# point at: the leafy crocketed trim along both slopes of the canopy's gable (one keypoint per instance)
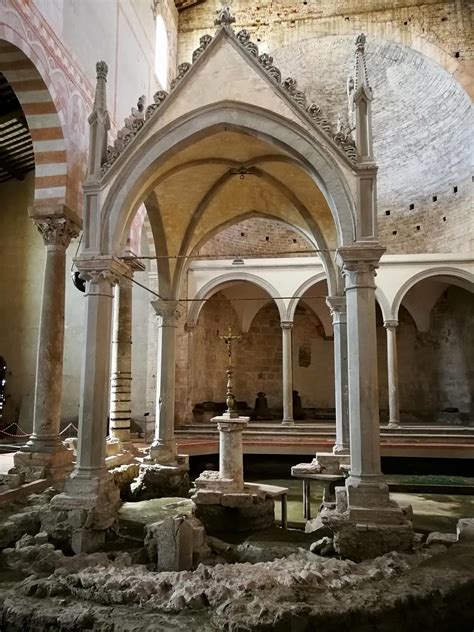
(341, 138)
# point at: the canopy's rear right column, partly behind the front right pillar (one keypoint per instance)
(337, 305)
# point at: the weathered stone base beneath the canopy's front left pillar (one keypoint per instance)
(81, 515)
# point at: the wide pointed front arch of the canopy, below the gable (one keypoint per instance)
(132, 179)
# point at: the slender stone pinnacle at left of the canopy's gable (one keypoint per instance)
(99, 123)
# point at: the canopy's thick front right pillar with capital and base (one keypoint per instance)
(366, 489)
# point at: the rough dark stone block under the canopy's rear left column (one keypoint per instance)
(158, 480)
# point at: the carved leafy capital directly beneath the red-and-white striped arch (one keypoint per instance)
(57, 225)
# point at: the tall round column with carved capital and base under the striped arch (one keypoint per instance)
(45, 453)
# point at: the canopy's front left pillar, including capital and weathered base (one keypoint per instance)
(90, 487)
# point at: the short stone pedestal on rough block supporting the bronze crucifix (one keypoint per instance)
(223, 501)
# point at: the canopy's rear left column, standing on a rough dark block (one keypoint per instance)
(163, 448)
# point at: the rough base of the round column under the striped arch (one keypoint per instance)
(55, 465)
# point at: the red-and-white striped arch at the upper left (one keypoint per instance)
(23, 69)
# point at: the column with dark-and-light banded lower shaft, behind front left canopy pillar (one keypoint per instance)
(121, 375)
